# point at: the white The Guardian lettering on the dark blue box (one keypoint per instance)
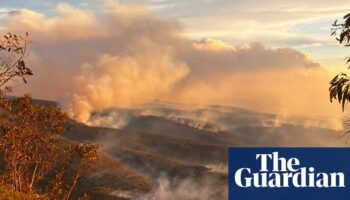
(286, 173)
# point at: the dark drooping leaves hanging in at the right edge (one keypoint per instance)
(340, 84)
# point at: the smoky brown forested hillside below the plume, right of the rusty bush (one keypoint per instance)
(163, 152)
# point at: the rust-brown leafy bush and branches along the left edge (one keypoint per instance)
(33, 157)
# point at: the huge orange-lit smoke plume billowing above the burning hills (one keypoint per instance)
(125, 56)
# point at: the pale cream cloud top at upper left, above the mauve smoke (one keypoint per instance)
(56, 28)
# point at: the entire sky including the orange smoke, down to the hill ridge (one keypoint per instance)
(273, 56)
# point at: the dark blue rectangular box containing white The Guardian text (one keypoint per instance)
(289, 173)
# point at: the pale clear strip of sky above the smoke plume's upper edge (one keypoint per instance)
(300, 24)
